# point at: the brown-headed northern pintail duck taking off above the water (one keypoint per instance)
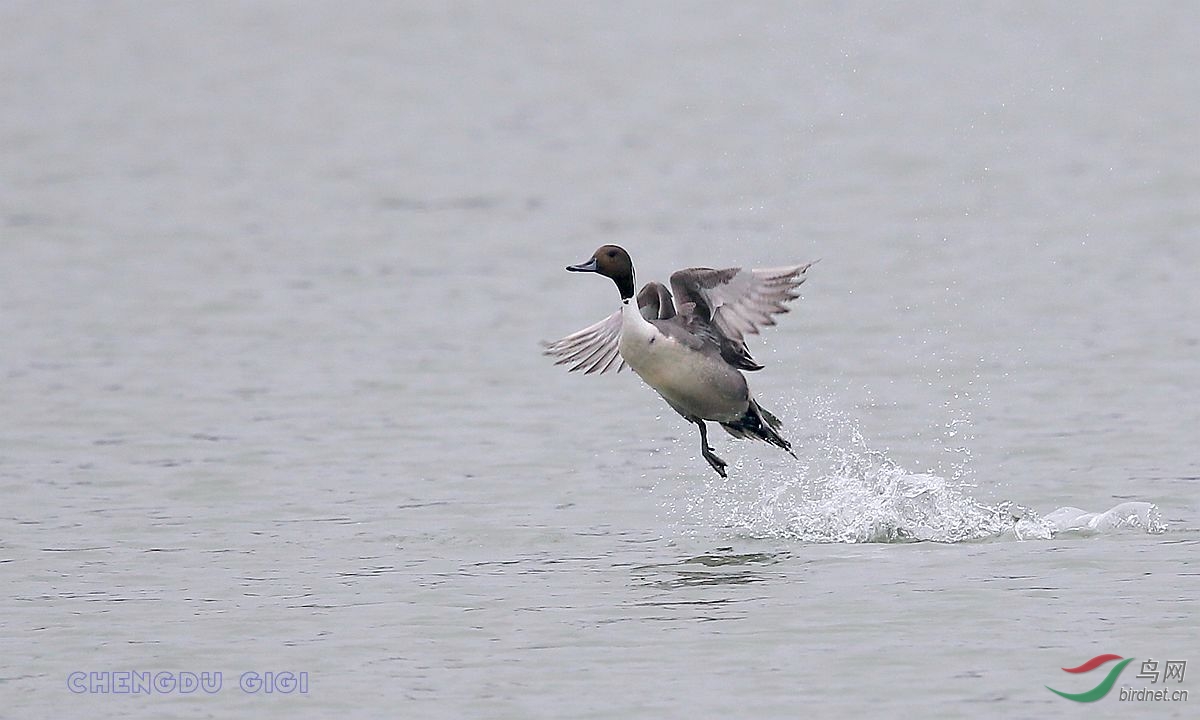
(692, 353)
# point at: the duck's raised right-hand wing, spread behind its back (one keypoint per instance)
(739, 302)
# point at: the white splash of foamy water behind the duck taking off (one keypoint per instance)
(844, 491)
